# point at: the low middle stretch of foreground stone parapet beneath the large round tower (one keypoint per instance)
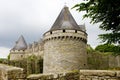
(59, 76)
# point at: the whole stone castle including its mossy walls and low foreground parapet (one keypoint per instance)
(61, 53)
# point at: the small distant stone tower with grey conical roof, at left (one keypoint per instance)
(18, 51)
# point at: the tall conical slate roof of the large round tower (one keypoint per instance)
(65, 21)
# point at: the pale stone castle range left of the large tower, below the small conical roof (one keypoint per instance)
(35, 48)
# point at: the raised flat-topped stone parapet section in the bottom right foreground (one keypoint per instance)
(99, 75)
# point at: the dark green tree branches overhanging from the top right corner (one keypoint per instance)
(106, 12)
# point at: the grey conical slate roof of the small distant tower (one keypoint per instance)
(20, 44)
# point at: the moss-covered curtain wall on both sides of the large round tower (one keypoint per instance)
(95, 61)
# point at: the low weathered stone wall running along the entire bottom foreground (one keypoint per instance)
(14, 73)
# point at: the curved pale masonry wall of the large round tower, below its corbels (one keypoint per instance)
(64, 55)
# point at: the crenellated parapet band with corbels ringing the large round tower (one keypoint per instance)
(65, 34)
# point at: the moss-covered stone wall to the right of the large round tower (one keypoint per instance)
(97, 60)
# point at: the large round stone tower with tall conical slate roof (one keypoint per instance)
(65, 45)
